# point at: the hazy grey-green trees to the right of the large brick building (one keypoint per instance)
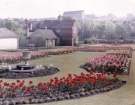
(107, 30)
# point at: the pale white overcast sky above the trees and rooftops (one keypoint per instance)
(52, 8)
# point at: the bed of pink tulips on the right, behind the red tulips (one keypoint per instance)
(111, 63)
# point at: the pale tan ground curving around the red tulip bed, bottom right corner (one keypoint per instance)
(122, 96)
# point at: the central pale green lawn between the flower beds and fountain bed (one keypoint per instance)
(67, 63)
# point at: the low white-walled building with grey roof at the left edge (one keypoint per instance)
(8, 39)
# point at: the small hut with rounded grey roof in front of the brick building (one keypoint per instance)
(43, 38)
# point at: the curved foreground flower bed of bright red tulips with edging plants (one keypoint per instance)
(71, 86)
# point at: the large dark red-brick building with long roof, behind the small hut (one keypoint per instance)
(64, 29)
